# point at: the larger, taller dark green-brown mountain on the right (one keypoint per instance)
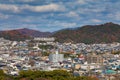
(105, 33)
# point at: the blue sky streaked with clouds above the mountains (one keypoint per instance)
(53, 15)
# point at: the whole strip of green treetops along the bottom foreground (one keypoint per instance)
(44, 75)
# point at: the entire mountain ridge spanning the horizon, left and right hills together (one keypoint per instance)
(103, 33)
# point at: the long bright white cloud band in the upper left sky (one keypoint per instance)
(40, 8)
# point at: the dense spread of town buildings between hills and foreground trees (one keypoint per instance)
(98, 60)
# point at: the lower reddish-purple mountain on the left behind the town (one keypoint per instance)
(22, 34)
